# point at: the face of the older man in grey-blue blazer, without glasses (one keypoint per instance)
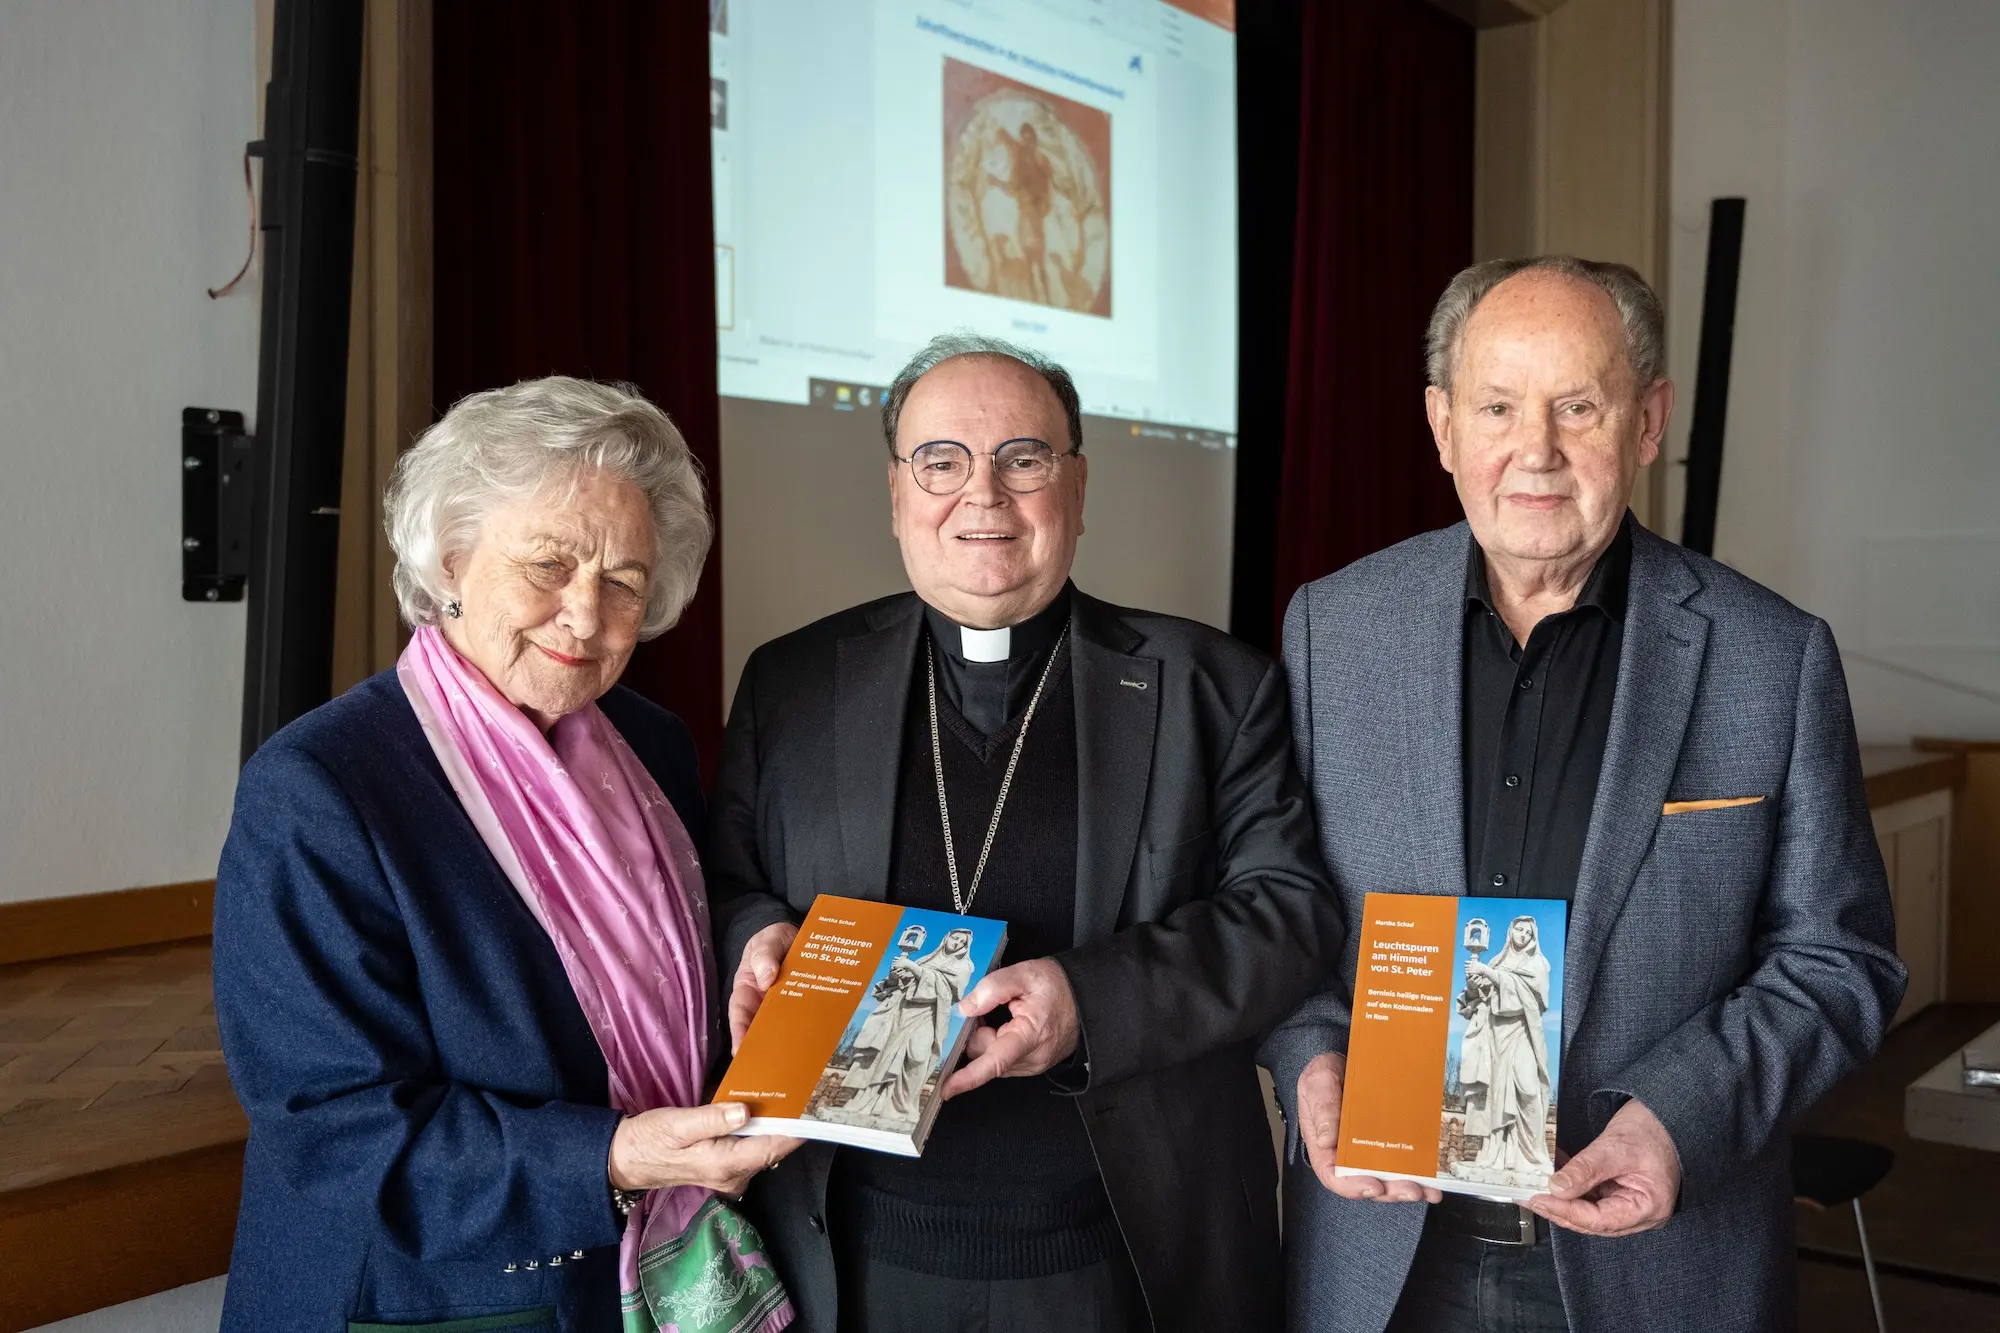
(1545, 429)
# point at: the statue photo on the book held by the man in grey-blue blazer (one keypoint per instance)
(1505, 1044)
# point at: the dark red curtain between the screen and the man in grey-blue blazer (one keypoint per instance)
(1385, 219)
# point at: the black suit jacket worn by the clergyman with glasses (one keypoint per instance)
(1203, 916)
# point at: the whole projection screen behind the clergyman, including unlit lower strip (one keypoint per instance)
(1059, 173)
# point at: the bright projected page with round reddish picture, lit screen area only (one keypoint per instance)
(1049, 173)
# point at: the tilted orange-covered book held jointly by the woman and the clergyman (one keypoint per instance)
(863, 1026)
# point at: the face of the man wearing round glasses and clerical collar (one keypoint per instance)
(987, 555)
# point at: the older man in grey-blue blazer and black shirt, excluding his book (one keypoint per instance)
(1547, 702)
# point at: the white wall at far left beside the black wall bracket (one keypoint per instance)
(121, 201)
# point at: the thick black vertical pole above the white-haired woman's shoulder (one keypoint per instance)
(311, 137)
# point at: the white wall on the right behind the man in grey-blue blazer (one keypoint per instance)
(1863, 455)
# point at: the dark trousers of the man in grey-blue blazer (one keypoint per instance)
(1461, 1284)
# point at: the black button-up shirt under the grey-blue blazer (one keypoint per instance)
(1535, 728)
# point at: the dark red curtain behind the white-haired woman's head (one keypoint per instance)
(575, 235)
